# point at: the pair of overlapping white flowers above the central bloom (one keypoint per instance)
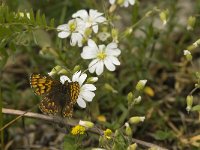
(77, 27)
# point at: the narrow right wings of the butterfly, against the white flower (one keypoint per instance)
(72, 96)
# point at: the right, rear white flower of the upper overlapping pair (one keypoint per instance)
(90, 19)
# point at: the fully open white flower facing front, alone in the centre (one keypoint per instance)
(101, 55)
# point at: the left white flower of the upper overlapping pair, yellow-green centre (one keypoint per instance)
(75, 28)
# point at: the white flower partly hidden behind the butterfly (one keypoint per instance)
(86, 90)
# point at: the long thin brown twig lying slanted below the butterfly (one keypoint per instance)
(68, 122)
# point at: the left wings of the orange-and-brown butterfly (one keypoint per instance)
(47, 87)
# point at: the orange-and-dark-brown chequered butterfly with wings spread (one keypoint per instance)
(57, 98)
